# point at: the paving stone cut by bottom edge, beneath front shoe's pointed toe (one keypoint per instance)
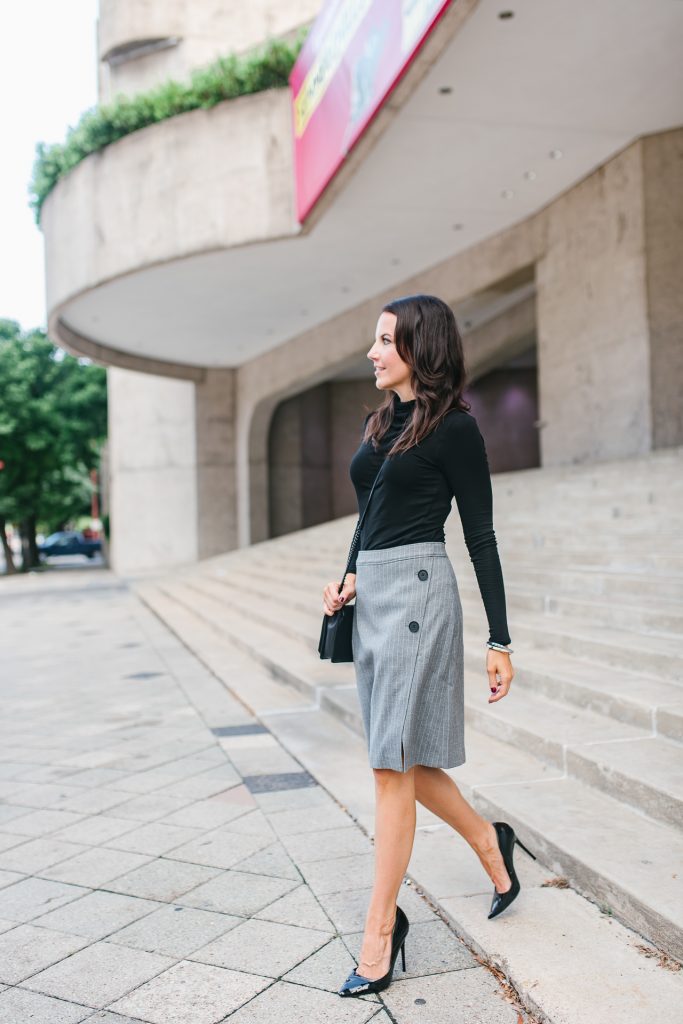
(288, 1003)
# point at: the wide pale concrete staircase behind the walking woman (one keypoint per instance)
(585, 757)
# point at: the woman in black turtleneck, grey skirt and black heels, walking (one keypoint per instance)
(408, 630)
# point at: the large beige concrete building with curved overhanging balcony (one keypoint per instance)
(528, 168)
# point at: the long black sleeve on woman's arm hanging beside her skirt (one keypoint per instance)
(465, 464)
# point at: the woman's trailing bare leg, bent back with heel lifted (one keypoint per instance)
(440, 794)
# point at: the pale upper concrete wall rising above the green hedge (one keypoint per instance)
(201, 32)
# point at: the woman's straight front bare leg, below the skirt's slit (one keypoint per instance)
(395, 834)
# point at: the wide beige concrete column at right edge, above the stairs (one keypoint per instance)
(610, 315)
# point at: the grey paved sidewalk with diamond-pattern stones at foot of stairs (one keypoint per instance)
(163, 859)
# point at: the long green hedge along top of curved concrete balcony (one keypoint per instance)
(229, 77)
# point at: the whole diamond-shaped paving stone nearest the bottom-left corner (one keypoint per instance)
(100, 974)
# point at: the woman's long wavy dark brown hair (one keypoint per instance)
(429, 340)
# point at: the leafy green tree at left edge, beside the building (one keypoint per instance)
(53, 425)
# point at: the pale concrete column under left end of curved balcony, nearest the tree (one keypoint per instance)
(173, 477)
